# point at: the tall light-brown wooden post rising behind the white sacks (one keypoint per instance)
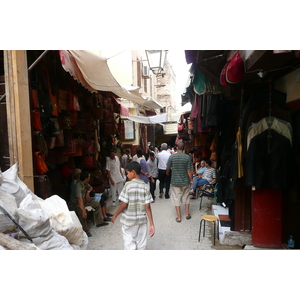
(18, 113)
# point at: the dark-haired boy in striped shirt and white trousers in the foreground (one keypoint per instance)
(135, 209)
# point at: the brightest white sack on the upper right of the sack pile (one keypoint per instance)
(58, 212)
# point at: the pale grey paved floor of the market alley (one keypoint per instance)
(169, 235)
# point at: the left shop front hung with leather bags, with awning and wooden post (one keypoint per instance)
(76, 117)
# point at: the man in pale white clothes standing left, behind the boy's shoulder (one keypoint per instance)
(115, 176)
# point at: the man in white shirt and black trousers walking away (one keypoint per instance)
(164, 179)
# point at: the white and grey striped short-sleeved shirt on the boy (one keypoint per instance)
(137, 194)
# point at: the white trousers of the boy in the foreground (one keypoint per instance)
(135, 237)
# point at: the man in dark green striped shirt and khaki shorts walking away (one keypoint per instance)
(182, 177)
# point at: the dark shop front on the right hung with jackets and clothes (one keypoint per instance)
(244, 118)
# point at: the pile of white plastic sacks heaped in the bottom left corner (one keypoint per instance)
(49, 223)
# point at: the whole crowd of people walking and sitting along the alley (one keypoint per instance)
(133, 182)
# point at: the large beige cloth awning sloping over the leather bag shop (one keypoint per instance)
(92, 71)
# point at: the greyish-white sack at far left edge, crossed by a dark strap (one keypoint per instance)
(8, 202)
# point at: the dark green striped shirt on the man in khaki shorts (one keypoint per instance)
(180, 163)
